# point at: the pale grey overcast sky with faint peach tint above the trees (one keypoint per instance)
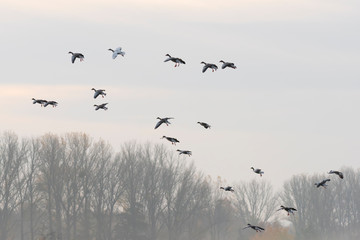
(290, 107)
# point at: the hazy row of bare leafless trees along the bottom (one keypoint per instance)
(72, 187)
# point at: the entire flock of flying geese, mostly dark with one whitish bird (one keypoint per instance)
(165, 120)
